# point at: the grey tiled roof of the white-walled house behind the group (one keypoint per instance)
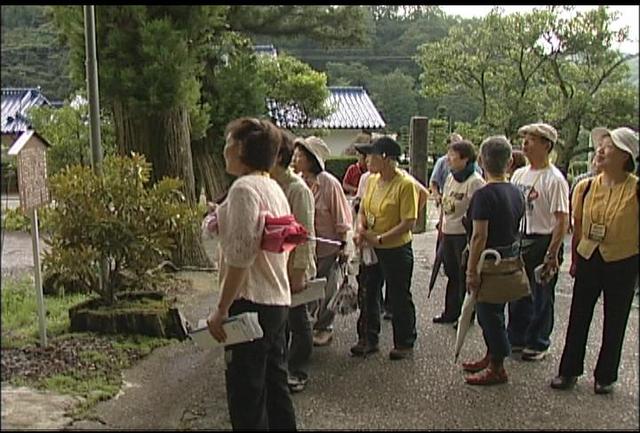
(353, 109)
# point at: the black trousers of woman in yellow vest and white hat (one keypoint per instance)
(616, 280)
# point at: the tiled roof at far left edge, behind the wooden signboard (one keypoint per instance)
(15, 105)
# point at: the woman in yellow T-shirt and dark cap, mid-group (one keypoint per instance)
(387, 214)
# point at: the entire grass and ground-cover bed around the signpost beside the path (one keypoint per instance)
(93, 363)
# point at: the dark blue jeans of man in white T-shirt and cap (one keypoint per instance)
(531, 318)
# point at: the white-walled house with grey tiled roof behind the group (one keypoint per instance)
(353, 113)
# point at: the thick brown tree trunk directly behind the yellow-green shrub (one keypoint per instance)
(164, 138)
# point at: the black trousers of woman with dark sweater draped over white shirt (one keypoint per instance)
(453, 245)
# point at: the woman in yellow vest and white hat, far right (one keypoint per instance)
(606, 224)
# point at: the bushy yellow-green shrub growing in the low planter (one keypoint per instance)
(117, 220)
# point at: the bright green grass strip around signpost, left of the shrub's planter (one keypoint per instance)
(20, 313)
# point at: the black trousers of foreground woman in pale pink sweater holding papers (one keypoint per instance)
(256, 375)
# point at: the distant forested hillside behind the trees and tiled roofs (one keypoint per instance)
(385, 64)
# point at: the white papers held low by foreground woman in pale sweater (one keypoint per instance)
(239, 329)
